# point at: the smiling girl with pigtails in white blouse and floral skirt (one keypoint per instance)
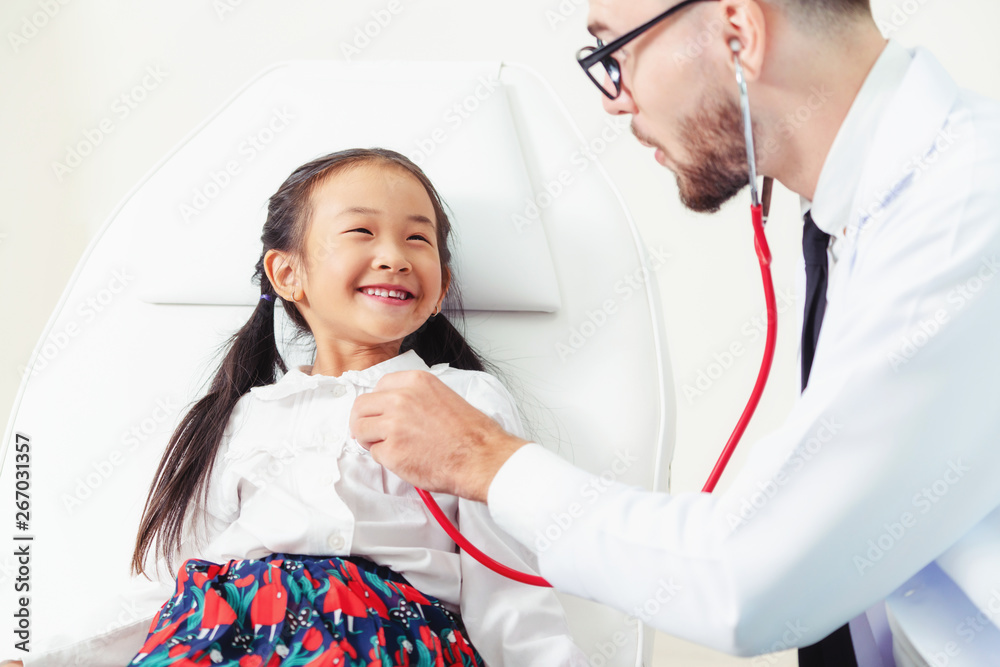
(308, 552)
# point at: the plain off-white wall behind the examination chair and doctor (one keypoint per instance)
(61, 74)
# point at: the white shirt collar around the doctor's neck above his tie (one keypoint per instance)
(841, 173)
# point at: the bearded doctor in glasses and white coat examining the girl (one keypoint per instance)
(886, 468)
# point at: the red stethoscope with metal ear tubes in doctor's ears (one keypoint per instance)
(758, 215)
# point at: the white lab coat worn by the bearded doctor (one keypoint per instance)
(887, 467)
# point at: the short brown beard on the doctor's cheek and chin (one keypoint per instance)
(716, 153)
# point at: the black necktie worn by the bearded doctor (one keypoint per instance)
(836, 650)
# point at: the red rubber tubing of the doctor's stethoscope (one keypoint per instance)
(764, 257)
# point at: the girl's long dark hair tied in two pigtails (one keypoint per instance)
(253, 359)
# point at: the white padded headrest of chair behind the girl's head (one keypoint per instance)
(453, 120)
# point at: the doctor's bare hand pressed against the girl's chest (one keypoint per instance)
(421, 430)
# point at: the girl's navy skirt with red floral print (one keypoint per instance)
(300, 610)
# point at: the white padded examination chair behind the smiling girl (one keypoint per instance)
(558, 288)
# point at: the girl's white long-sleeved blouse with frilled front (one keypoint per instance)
(289, 479)
